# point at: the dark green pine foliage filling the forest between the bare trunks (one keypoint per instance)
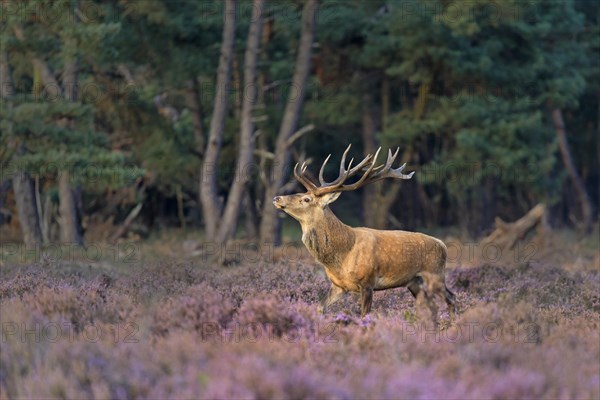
(470, 88)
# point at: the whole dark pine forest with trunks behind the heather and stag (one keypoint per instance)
(142, 115)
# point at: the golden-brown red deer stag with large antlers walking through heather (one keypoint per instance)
(362, 259)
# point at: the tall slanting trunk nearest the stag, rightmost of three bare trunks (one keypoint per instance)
(289, 123)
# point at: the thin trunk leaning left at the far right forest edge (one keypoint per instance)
(584, 200)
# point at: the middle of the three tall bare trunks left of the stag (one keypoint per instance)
(228, 223)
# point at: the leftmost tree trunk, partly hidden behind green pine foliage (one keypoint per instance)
(22, 182)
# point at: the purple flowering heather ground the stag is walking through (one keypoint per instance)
(143, 321)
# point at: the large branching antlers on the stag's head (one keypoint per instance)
(370, 173)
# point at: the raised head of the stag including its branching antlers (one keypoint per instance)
(308, 206)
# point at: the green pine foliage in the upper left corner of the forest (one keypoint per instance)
(55, 134)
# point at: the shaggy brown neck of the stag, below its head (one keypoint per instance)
(328, 238)
